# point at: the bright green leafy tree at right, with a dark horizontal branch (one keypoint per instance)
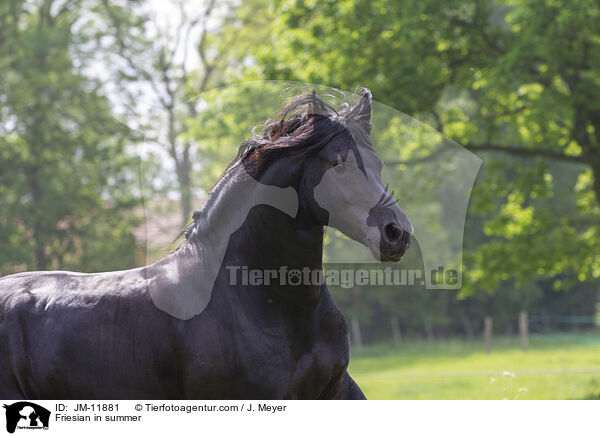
(517, 82)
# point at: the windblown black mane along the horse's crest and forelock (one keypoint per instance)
(304, 126)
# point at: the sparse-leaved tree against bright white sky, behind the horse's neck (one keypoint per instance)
(174, 63)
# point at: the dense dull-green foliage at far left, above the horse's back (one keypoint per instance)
(65, 179)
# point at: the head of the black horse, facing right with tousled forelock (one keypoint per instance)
(326, 153)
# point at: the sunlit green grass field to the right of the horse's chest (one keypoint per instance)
(565, 366)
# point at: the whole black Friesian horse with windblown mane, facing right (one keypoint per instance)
(189, 327)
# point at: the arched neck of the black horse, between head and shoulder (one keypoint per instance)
(244, 224)
